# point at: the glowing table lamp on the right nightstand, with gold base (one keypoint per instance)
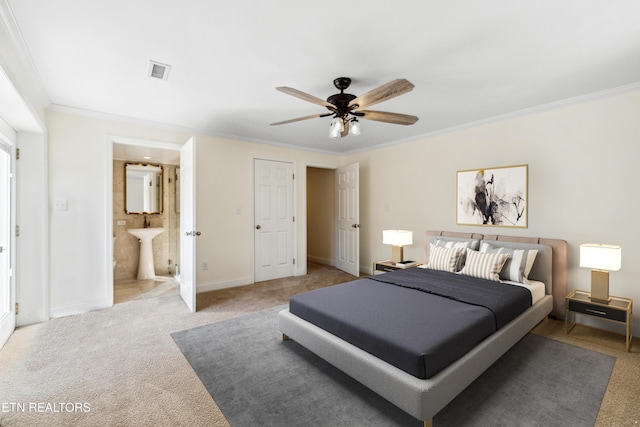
(601, 259)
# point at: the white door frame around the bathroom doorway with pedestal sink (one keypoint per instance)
(110, 140)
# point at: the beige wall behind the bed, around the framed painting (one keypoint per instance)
(583, 182)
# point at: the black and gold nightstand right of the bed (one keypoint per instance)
(619, 310)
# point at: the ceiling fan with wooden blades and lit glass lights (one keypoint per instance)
(346, 108)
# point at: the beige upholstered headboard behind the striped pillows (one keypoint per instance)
(559, 259)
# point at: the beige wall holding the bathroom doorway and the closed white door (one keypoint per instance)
(80, 170)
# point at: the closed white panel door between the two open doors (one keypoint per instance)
(274, 219)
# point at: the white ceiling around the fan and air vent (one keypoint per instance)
(469, 60)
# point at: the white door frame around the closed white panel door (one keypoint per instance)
(296, 267)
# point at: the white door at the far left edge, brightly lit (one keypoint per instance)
(7, 313)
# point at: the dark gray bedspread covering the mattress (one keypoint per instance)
(416, 319)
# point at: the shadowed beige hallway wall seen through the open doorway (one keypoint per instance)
(321, 215)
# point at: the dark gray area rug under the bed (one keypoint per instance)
(258, 379)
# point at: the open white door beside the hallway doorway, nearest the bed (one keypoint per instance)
(348, 218)
